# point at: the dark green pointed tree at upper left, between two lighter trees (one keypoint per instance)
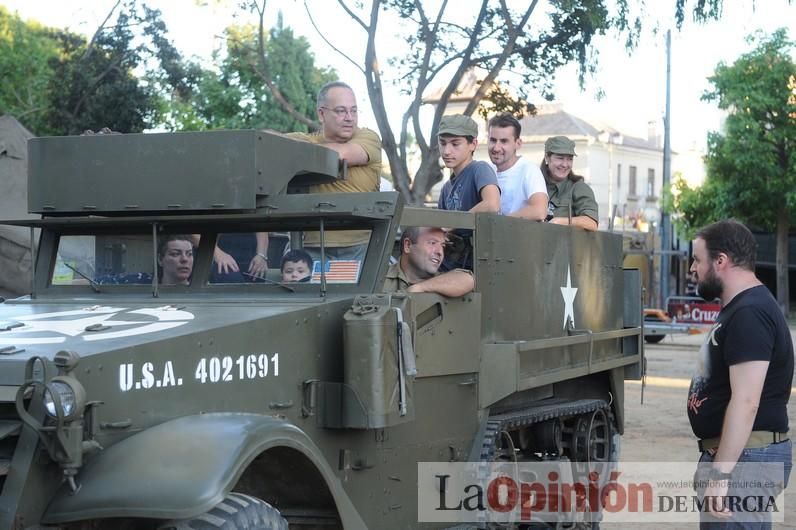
(97, 83)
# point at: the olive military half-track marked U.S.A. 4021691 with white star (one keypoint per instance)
(128, 403)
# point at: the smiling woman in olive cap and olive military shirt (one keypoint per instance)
(571, 199)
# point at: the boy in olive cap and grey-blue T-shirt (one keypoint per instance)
(472, 187)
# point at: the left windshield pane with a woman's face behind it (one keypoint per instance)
(129, 259)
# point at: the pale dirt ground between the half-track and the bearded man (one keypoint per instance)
(658, 430)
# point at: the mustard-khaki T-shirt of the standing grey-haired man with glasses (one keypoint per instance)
(360, 179)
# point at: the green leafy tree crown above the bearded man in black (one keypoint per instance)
(752, 158)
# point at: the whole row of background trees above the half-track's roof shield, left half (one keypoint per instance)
(129, 77)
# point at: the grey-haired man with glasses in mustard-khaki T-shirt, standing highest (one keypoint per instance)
(360, 148)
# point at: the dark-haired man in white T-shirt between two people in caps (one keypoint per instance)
(523, 192)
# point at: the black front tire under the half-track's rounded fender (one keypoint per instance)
(236, 512)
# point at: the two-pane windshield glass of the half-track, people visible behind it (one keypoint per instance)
(291, 259)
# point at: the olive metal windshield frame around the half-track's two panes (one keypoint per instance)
(377, 212)
